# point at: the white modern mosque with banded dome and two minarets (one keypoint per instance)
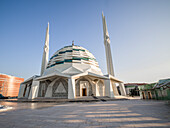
(72, 72)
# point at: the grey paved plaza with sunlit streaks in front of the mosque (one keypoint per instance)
(120, 113)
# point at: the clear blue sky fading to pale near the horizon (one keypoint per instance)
(139, 32)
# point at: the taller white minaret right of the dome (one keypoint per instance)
(107, 47)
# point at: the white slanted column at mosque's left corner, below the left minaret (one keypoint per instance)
(34, 90)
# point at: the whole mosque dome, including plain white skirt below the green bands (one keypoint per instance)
(72, 60)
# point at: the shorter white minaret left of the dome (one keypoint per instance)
(46, 51)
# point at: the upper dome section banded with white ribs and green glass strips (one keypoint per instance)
(72, 54)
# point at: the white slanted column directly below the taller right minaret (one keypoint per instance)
(108, 88)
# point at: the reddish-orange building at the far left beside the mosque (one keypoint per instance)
(9, 85)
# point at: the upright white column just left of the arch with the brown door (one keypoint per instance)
(71, 88)
